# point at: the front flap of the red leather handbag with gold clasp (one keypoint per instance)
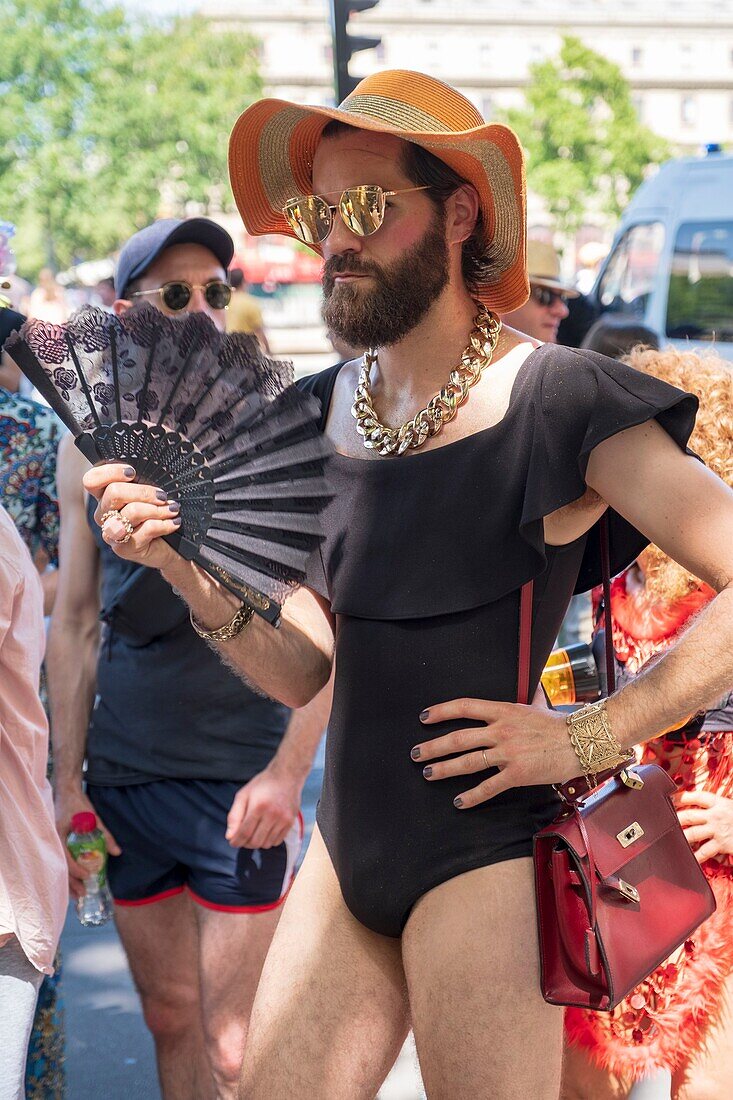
(623, 823)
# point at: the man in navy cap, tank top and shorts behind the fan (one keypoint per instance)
(196, 783)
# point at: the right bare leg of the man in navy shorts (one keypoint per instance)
(233, 949)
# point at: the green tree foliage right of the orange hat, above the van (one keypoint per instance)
(583, 136)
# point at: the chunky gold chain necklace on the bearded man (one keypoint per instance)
(441, 410)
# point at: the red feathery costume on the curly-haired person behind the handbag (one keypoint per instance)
(665, 1020)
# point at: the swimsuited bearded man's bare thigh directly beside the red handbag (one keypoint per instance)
(473, 969)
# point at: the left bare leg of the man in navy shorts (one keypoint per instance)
(161, 942)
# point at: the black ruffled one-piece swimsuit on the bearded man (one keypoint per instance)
(423, 563)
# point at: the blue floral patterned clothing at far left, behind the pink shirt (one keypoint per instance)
(29, 439)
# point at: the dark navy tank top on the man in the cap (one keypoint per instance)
(170, 709)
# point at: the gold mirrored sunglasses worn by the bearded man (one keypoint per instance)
(362, 210)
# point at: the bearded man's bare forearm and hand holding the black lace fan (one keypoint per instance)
(291, 664)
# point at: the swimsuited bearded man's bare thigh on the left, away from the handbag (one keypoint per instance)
(331, 1014)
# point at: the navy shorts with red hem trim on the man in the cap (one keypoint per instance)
(172, 837)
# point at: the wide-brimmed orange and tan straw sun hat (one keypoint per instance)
(272, 148)
